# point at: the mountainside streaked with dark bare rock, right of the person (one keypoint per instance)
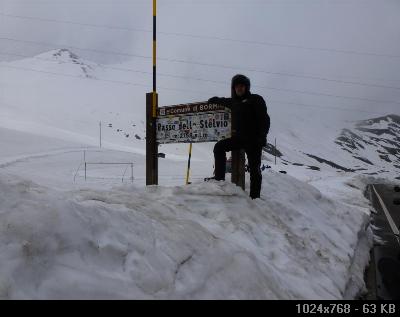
(370, 147)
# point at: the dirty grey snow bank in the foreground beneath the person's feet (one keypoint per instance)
(203, 241)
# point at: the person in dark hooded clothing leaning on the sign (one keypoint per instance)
(250, 127)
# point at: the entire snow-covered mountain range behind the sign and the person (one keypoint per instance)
(59, 94)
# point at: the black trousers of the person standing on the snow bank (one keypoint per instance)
(253, 153)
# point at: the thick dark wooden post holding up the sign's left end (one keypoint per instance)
(151, 142)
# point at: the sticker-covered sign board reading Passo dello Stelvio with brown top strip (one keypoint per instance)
(193, 123)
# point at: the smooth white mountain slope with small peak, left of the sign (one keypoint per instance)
(57, 94)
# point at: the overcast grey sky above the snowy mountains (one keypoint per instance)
(362, 38)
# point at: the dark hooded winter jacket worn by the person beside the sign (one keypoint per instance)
(251, 121)
